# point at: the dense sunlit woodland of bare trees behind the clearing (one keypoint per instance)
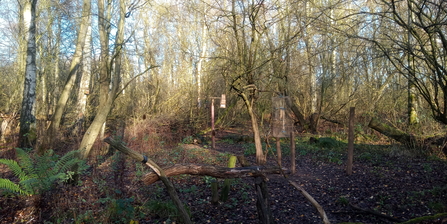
(74, 72)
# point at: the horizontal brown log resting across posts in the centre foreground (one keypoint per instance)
(213, 171)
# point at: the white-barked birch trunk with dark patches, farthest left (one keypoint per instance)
(27, 116)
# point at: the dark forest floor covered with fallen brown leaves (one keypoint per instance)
(384, 181)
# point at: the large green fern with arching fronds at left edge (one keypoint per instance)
(39, 174)
